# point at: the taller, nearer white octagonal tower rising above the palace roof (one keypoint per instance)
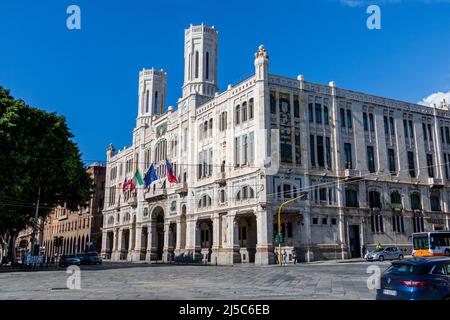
(200, 61)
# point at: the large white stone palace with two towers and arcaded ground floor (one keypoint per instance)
(375, 169)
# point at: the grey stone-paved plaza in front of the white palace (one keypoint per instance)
(321, 280)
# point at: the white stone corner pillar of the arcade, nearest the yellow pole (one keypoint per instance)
(264, 232)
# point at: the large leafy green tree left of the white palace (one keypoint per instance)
(36, 151)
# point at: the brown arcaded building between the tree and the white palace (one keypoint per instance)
(81, 230)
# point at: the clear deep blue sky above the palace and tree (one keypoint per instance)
(91, 75)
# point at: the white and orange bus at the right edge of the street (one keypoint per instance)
(429, 244)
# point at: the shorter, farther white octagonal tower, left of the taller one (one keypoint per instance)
(152, 92)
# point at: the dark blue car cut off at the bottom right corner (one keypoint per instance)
(416, 279)
